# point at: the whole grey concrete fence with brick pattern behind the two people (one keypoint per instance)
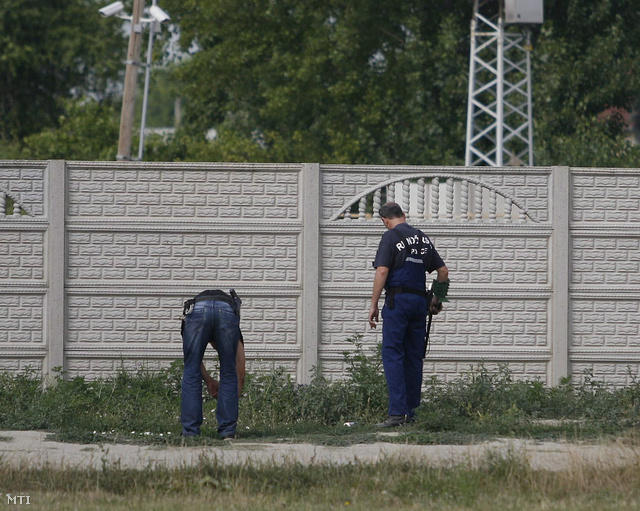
(96, 259)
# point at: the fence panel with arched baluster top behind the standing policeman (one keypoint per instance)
(494, 232)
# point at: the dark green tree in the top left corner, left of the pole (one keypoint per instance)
(50, 51)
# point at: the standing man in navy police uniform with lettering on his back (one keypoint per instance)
(403, 257)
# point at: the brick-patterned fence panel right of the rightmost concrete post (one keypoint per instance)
(605, 273)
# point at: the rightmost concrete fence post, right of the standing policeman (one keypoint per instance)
(560, 273)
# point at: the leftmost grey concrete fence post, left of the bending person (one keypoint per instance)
(55, 261)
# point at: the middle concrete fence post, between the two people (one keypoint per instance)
(310, 268)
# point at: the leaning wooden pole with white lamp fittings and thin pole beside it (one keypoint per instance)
(133, 55)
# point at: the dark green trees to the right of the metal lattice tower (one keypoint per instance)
(586, 61)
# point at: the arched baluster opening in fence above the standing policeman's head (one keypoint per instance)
(437, 198)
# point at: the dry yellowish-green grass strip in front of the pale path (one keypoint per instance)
(494, 482)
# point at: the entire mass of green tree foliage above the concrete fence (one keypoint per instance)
(359, 81)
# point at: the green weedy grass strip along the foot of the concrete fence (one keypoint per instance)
(144, 406)
